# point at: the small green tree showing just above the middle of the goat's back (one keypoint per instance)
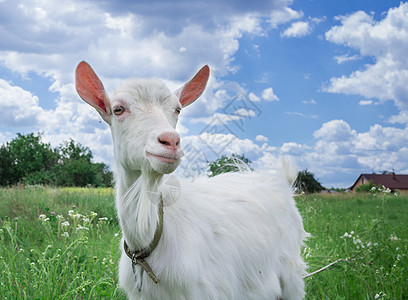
(226, 164)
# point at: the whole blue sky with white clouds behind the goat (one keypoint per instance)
(322, 81)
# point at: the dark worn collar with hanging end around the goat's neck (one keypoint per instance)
(138, 257)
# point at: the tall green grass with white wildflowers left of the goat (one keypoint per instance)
(58, 244)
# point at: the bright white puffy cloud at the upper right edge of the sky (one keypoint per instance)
(386, 42)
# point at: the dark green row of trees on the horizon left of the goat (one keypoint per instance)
(27, 159)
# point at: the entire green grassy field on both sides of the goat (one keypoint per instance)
(64, 244)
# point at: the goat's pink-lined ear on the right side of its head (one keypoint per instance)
(194, 88)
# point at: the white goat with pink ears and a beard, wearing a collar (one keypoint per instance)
(233, 236)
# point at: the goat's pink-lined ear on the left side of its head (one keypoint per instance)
(91, 90)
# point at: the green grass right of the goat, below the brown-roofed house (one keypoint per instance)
(369, 232)
